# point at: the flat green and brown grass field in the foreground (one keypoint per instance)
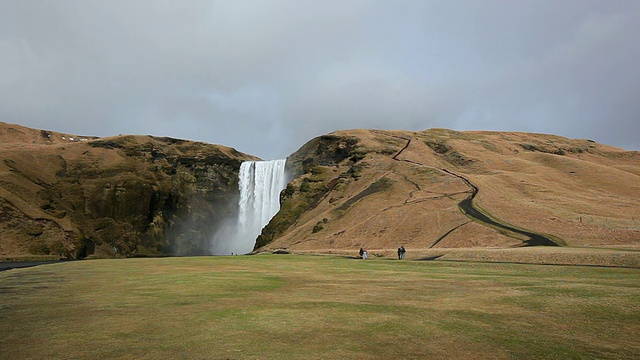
(317, 307)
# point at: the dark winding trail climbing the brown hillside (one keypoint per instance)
(475, 213)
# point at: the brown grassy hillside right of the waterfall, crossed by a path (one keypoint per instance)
(382, 189)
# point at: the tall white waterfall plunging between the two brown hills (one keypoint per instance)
(260, 185)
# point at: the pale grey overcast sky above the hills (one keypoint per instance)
(266, 76)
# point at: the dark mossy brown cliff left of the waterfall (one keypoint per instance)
(65, 196)
